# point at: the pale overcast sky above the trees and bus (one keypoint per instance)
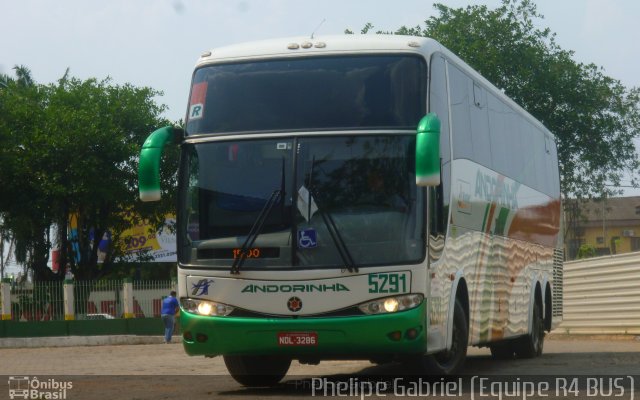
(156, 42)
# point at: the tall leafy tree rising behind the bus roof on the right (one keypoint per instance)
(594, 117)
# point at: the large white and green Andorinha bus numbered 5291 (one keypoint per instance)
(359, 197)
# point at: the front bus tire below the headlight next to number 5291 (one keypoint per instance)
(449, 362)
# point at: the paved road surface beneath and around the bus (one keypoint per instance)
(162, 371)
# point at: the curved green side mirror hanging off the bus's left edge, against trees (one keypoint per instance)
(149, 166)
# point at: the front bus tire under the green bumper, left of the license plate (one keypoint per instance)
(257, 371)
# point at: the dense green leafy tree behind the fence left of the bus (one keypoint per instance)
(71, 148)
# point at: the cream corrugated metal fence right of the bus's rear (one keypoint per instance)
(602, 295)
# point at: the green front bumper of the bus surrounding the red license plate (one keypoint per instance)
(358, 337)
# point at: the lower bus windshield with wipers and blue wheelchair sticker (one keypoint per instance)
(349, 192)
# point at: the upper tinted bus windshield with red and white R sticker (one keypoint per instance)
(312, 93)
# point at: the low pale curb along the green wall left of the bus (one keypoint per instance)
(71, 341)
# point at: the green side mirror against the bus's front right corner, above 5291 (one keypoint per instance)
(428, 151)
